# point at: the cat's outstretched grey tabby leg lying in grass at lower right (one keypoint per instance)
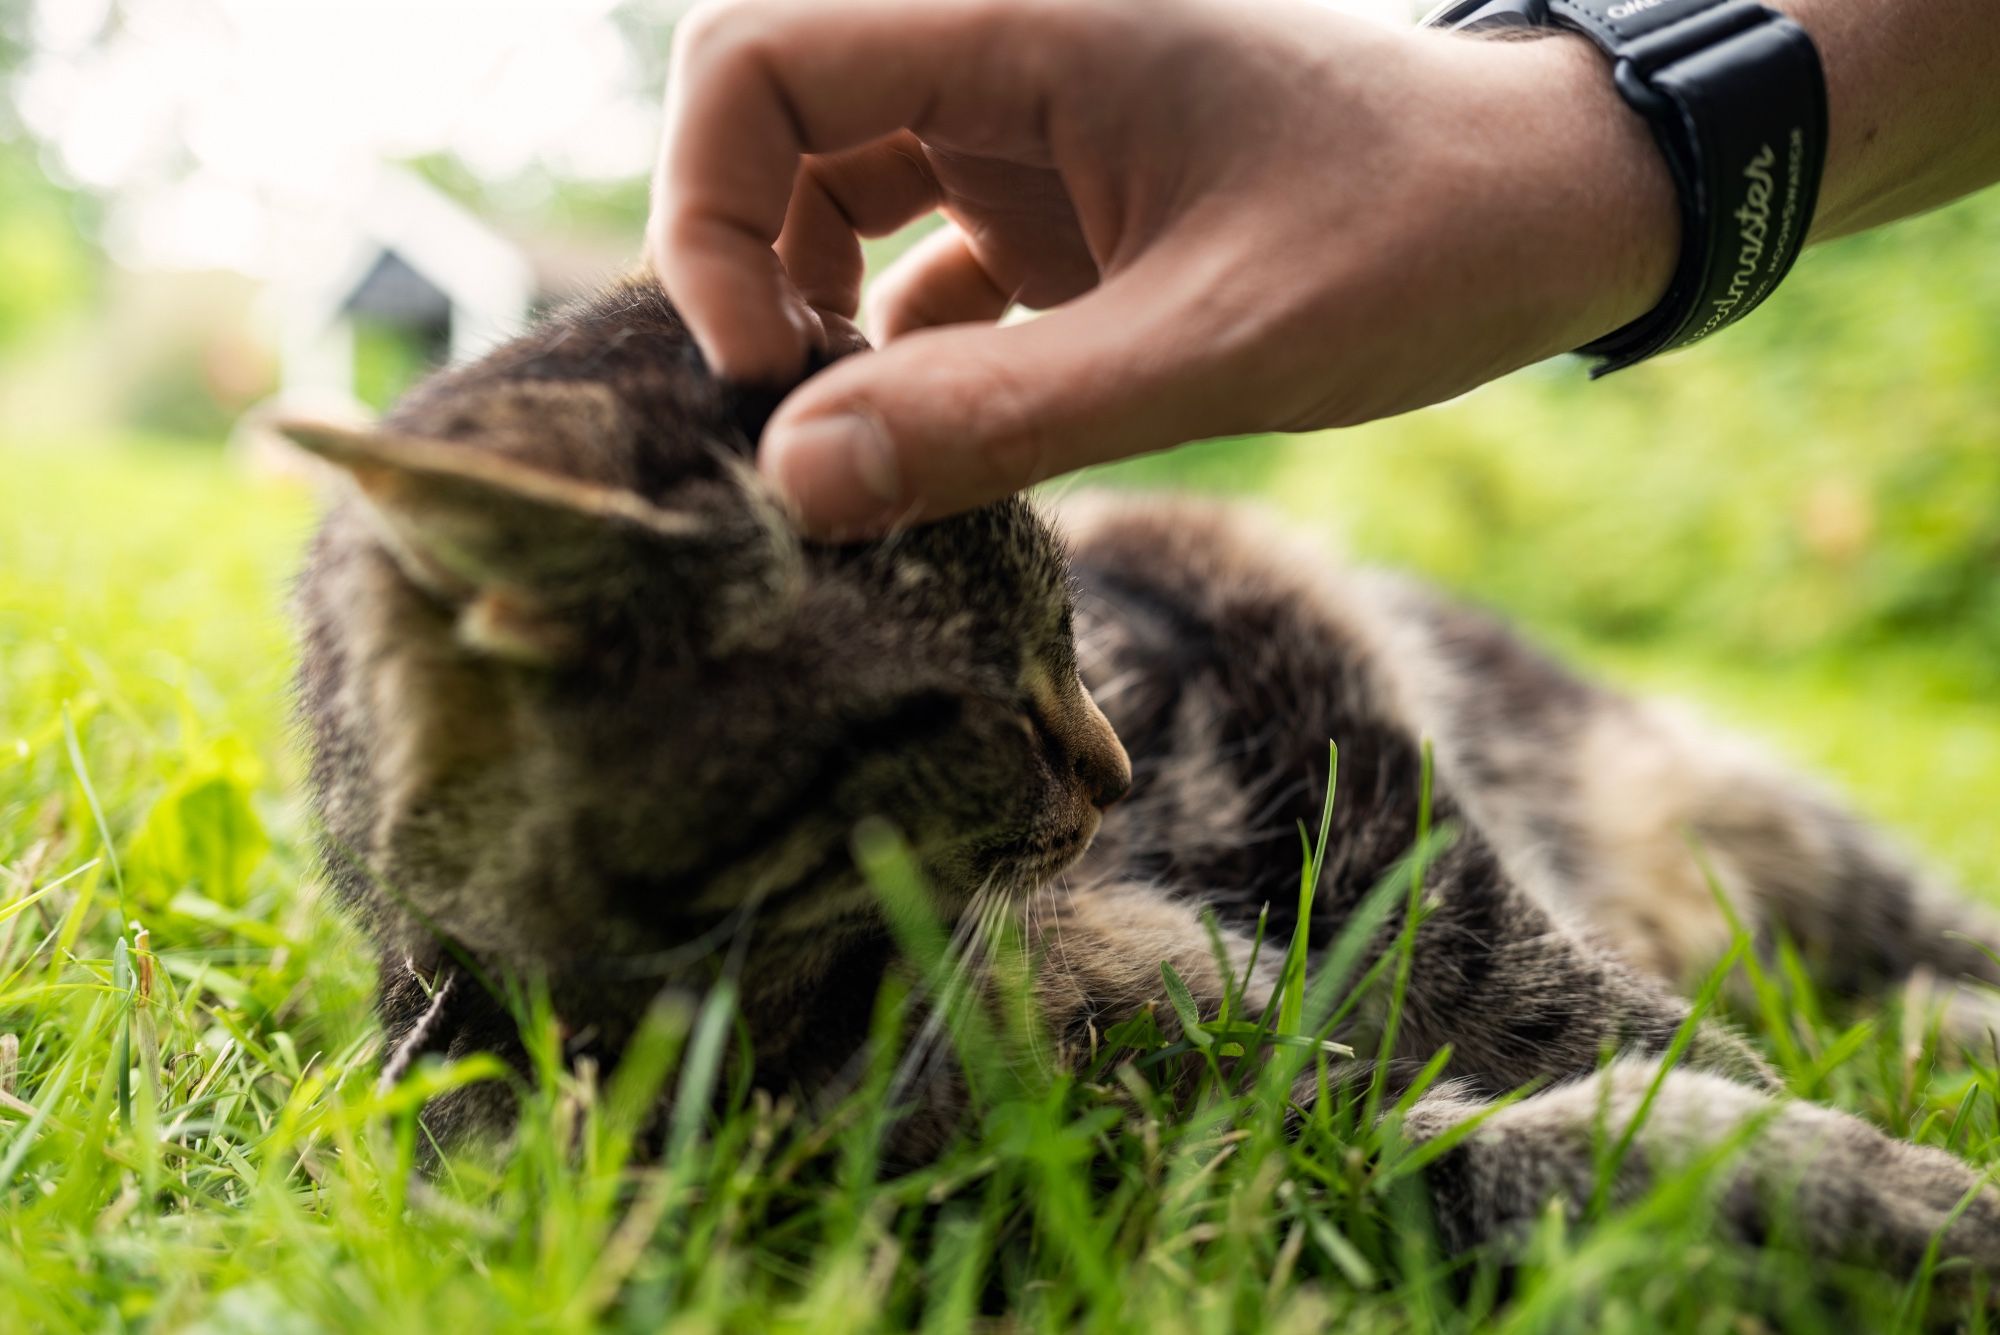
(1783, 1172)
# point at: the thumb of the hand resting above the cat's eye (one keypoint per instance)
(951, 419)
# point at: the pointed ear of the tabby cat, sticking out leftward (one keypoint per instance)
(525, 553)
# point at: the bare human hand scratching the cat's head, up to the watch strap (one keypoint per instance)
(1239, 219)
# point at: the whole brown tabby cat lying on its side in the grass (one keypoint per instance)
(583, 706)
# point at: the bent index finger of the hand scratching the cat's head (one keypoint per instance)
(761, 83)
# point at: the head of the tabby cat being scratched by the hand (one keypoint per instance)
(599, 665)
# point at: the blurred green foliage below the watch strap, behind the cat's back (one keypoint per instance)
(1825, 477)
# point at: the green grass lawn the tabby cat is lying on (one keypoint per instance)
(193, 1138)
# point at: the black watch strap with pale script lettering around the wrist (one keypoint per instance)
(1737, 101)
